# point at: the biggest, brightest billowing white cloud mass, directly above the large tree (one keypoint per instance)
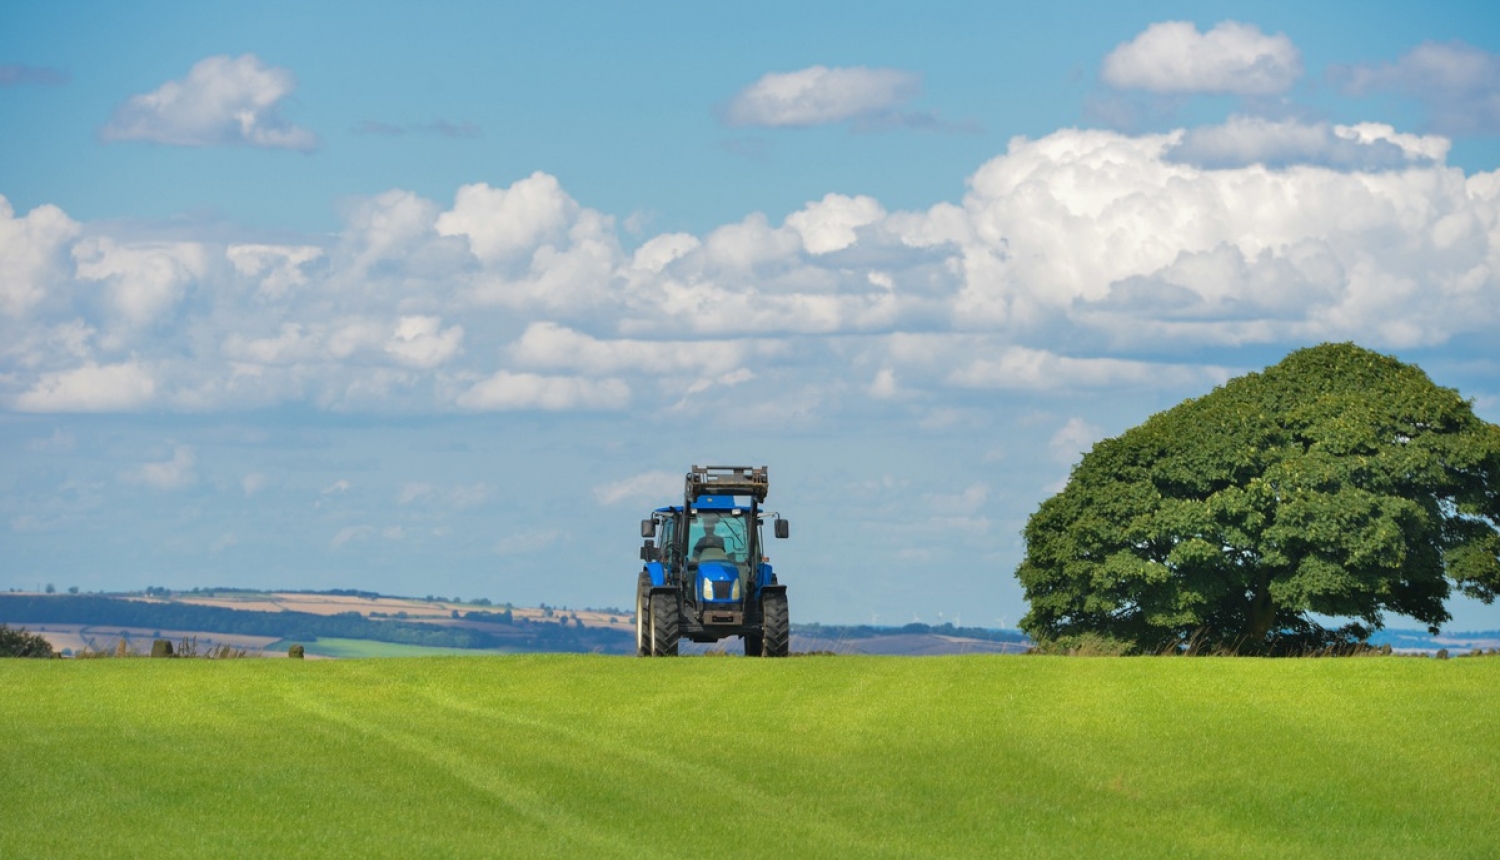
(1100, 230)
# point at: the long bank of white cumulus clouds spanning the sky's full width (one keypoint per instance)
(1067, 260)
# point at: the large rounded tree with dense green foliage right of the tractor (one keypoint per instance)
(1336, 484)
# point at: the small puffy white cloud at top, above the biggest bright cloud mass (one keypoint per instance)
(1232, 58)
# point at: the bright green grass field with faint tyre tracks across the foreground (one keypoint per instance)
(844, 757)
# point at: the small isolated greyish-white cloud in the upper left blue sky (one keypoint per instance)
(223, 101)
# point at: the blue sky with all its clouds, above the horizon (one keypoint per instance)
(439, 301)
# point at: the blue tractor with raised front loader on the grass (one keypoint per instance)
(706, 576)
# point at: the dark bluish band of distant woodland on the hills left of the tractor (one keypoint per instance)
(305, 627)
